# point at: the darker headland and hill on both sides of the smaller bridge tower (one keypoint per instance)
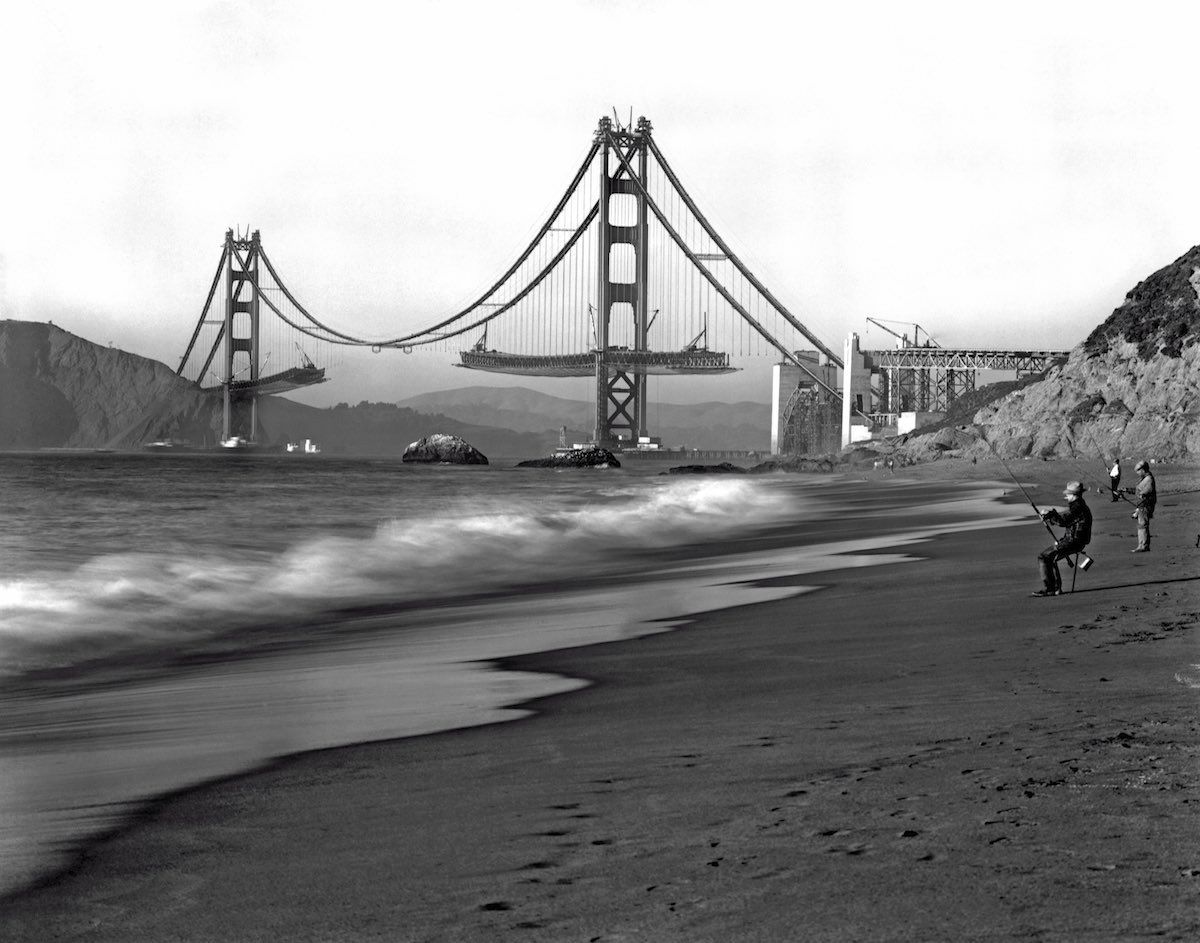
(61, 392)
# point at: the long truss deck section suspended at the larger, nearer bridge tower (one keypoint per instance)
(651, 363)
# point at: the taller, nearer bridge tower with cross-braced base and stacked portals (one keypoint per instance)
(621, 395)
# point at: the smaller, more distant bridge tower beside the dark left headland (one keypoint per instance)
(242, 307)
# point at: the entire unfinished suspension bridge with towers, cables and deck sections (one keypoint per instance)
(625, 280)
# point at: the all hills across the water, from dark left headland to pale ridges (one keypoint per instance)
(58, 391)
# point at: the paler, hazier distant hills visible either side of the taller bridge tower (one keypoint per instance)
(699, 425)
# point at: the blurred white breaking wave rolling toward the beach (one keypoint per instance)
(172, 599)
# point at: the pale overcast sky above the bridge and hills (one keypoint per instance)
(1001, 175)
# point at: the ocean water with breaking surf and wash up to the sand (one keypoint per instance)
(169, 620)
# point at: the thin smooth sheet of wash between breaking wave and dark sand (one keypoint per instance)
(225, 716)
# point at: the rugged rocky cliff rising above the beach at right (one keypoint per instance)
(1131, 389)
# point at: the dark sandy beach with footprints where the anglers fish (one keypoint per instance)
(915, 752)
